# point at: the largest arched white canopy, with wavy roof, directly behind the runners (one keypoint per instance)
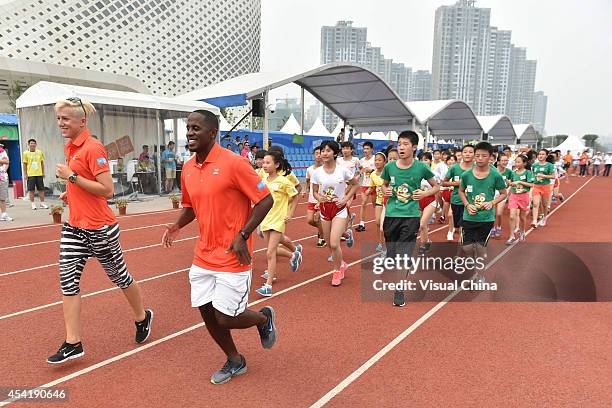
(353, 92)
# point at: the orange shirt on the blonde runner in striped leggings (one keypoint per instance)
(87, 157)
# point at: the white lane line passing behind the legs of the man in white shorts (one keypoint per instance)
(171, 336)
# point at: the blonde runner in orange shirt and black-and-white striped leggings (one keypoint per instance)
(92, 229)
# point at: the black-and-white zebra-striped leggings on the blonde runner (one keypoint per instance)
(77, 245)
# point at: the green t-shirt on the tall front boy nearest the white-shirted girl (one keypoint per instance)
(404, 182)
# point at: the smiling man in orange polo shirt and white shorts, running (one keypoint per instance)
(218, 189)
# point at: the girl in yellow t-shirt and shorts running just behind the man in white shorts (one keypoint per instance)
(273, 226)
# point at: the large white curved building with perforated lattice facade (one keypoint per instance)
(165, 47)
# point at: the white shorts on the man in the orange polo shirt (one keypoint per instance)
(228, 291)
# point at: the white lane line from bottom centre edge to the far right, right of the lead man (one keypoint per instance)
(397, 340)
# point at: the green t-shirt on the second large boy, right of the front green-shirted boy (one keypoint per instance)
(479, 191)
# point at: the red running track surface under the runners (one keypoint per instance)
(476, 353)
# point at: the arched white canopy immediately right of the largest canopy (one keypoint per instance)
(451, 118)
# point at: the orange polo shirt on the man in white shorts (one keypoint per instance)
(220, 191)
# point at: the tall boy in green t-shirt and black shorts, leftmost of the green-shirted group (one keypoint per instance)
(402, 185)
